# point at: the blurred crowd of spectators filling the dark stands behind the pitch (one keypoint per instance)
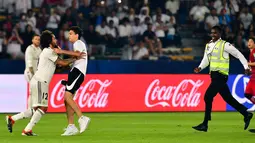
(131, 29)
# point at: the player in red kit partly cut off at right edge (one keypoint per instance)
(250, 88)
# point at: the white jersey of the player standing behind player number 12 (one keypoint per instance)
(32, 56)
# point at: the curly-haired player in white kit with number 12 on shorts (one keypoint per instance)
(39, 83)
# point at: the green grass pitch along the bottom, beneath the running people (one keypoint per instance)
(225, 127)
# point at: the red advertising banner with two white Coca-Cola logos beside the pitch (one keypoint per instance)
(136, 93)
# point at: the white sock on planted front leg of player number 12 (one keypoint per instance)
(35, 119)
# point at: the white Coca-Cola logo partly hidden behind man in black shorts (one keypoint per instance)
(92, 94)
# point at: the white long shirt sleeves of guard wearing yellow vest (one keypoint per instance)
(228, 49)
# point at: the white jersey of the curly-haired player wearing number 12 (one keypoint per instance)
(46, 66)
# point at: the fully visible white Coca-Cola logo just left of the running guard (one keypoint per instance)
(185, 94)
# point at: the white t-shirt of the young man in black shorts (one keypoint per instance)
(81, 64)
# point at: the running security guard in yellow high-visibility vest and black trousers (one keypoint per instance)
(217, 55)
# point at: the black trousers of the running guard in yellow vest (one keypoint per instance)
(219, 85)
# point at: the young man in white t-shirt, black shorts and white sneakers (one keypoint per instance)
(75, 79)
